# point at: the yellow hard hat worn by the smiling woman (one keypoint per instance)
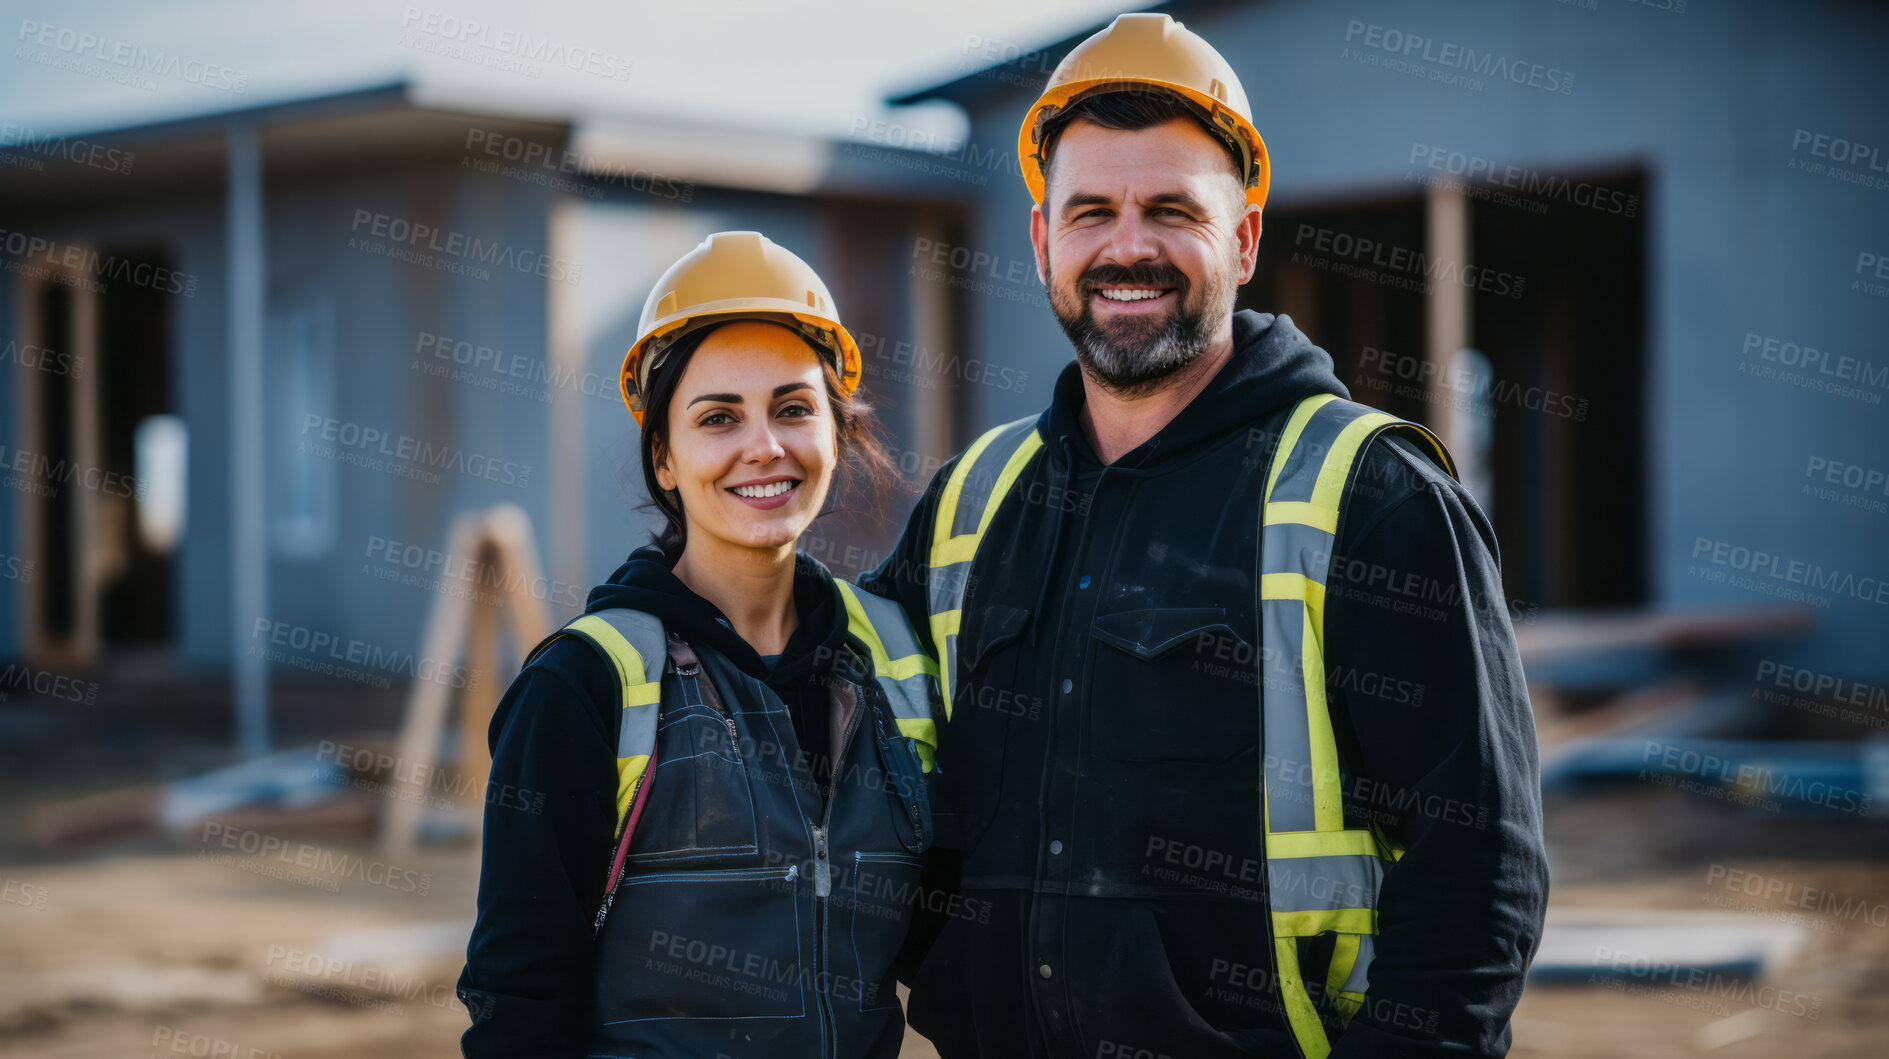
(736, 277)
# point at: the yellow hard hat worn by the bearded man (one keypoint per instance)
(1149, 50)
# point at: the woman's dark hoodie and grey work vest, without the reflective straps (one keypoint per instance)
(721, 915)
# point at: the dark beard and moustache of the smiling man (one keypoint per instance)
(1134, 358)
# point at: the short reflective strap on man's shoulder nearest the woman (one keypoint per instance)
(972, 497)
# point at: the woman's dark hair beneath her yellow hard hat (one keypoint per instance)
(859, 439)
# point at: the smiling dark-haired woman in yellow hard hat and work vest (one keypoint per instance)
(730, 747)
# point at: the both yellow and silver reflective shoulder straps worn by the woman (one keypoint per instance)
(638, 648)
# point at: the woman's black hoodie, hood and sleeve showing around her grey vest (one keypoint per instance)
(528, 977)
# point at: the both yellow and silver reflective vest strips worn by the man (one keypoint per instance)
(1321, 875)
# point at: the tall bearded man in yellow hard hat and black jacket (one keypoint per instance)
(1214, 790)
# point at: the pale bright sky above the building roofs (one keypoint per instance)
(804, 65)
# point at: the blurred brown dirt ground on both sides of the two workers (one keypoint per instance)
(177, 952)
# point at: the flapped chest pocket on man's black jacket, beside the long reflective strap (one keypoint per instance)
(1174, 684)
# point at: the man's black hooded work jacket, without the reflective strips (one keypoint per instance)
(1104, 750)
